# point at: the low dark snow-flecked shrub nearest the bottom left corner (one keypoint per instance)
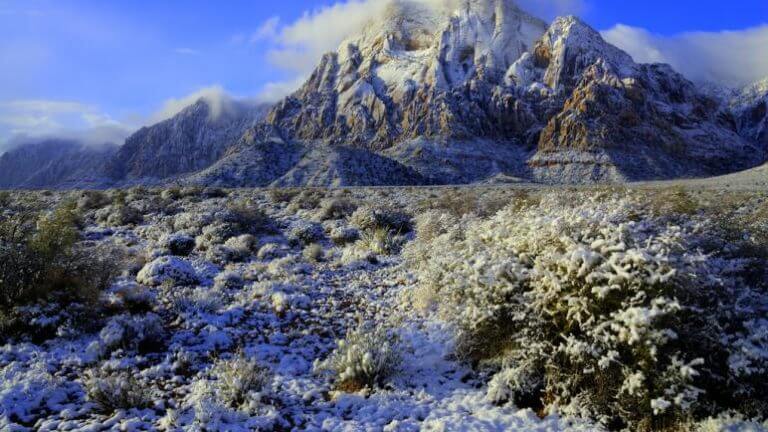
(112, 391)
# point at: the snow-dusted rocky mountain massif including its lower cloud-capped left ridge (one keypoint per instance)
(461, 91)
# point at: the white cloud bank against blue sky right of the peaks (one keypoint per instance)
(728, 57)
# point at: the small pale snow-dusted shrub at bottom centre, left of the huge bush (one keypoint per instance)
(366, 358)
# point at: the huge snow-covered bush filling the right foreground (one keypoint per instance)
(590, 309)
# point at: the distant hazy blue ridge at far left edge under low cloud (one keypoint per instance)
(53, 163)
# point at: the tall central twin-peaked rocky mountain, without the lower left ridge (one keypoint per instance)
(572, 107)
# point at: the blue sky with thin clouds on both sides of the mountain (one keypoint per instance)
(78, 64)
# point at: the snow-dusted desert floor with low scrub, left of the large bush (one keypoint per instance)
(228, 305)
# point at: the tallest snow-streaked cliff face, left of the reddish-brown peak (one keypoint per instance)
(419, 72)
